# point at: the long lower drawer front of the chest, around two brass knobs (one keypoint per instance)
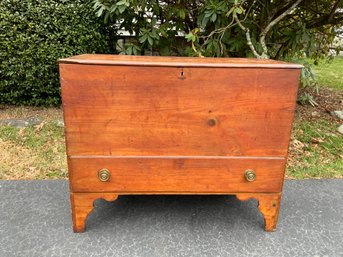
(176, 175)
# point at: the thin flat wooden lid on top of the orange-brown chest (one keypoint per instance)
(172, 61)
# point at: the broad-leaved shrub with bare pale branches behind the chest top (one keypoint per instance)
(239, 28)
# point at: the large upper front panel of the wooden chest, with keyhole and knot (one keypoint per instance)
(163, 111)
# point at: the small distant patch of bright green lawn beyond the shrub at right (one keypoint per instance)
(330, 74)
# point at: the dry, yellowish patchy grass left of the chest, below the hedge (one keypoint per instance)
(36, 152)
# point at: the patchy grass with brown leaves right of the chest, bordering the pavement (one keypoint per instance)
(315, 150)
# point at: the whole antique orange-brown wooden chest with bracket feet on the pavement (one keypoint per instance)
(177, 125)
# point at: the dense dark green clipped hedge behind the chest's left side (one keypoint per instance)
(34, 34)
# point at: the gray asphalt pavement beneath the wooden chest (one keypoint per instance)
(35, 221)
